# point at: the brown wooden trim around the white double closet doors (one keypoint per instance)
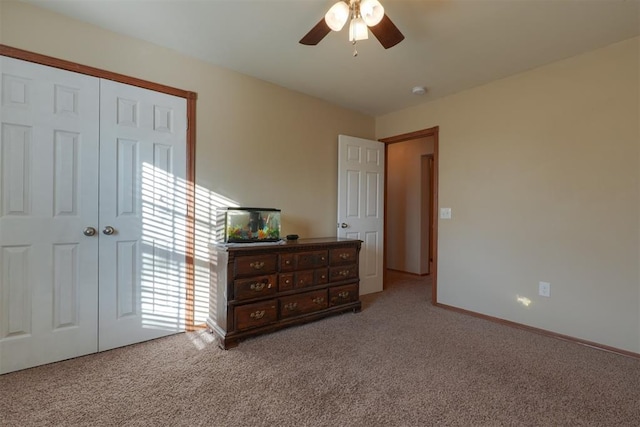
(191, 98)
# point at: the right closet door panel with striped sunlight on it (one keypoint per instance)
(143, 200)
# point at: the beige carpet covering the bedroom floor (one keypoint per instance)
(400, 362)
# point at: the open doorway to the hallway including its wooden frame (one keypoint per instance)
(410, 204)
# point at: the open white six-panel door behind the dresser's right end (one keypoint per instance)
(361, 204)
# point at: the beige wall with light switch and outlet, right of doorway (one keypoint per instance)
(541, 172)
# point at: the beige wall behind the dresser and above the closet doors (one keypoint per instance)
(257, 144)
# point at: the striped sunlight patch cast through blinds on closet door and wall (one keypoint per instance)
(163, 267)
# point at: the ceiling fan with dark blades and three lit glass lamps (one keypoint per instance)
(363, 15)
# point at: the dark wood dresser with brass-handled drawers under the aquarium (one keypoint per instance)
(256, 289)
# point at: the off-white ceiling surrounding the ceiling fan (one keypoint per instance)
(450, 45)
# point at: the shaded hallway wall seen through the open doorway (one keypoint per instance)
(406, 217)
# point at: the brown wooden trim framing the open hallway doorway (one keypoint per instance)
(430, 132)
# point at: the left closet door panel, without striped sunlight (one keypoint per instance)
(49, 194)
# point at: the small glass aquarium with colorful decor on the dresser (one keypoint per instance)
(244, 225)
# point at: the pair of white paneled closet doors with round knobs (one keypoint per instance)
(92, 209)
